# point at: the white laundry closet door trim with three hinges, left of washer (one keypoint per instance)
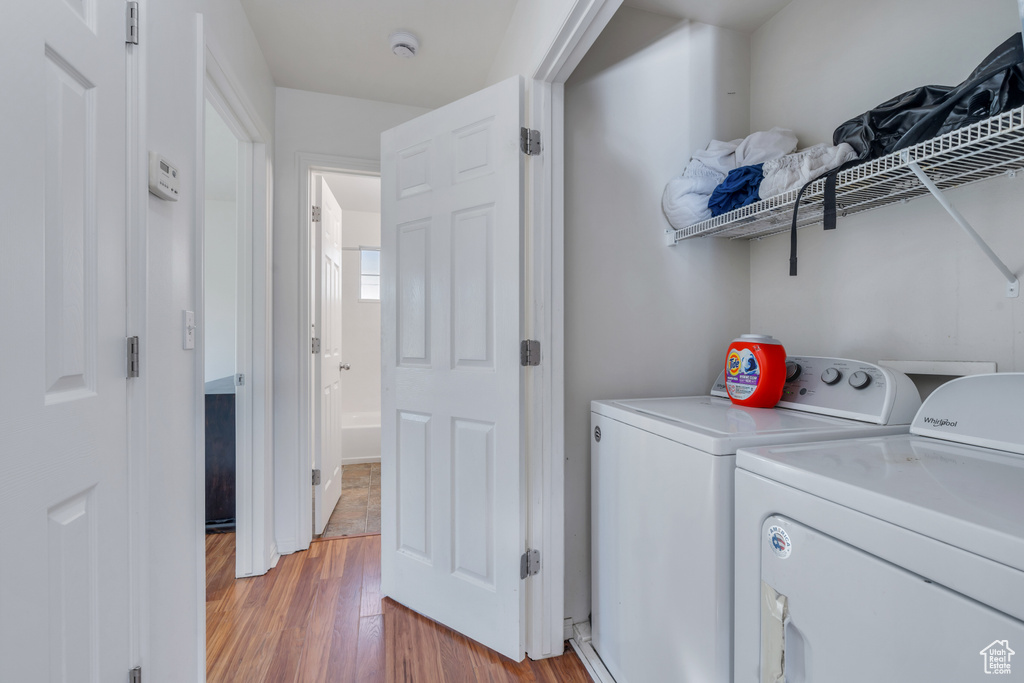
(545, 320)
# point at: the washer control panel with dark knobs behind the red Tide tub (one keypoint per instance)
(844, 389)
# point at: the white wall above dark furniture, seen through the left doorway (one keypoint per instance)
(221, 281)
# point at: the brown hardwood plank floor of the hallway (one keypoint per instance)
(319, 617)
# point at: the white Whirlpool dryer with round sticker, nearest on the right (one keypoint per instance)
(899, 559)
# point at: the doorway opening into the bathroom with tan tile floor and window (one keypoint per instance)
(346, 315)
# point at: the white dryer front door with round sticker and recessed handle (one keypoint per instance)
(833, 613)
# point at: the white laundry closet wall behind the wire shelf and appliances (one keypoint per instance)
(900, 282)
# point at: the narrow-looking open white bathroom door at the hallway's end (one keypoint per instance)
(328, 455)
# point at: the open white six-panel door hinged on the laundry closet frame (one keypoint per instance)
(453, 473)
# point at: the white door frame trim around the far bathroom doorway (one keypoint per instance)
(311, 164)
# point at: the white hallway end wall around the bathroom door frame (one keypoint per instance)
(322, 124)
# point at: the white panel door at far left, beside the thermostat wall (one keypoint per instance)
(64, 462)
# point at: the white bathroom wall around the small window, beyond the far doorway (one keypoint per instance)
(361, 322)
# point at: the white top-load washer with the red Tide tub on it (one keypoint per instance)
(662, 507)
